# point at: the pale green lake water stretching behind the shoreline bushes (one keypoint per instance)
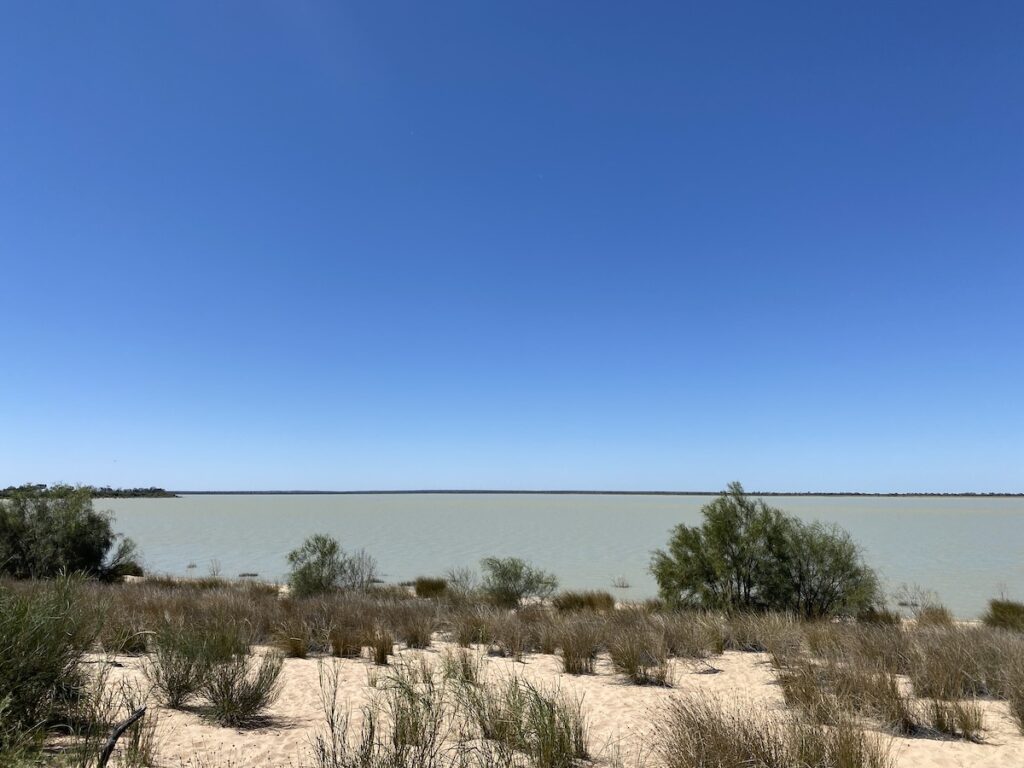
(968, 550)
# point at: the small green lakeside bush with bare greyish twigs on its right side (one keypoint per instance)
(322, 566)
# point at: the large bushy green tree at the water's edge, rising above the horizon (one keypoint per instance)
(747, 557)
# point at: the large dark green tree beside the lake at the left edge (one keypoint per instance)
(45, 533)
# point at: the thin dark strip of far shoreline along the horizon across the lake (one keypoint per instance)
(928, 495)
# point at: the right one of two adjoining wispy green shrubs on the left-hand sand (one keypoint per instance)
(238, 691)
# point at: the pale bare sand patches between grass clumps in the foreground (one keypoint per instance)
(620, 715)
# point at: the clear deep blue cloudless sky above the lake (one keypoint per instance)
(514, 245)
